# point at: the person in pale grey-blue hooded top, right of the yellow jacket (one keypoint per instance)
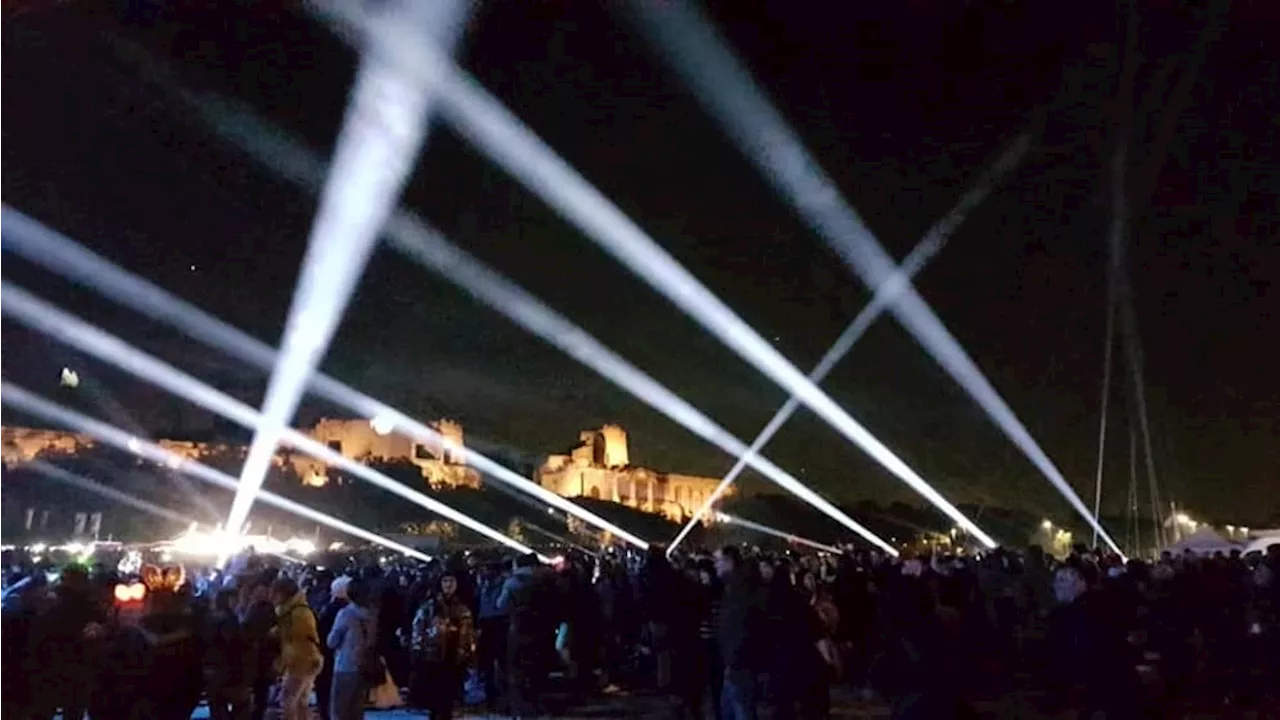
(354, 635)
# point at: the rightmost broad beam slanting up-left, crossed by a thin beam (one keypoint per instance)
(729, 93)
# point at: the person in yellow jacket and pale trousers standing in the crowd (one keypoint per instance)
(301, 659)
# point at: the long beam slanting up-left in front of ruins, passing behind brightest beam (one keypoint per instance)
(294, 162)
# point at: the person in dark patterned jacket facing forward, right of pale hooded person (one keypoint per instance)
(442, 649)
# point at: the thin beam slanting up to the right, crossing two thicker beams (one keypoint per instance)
(886, 294)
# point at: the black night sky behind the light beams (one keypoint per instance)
(904, 104)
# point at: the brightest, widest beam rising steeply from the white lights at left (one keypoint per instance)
(381, 139)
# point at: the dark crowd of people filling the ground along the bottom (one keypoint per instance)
(720, 635)
